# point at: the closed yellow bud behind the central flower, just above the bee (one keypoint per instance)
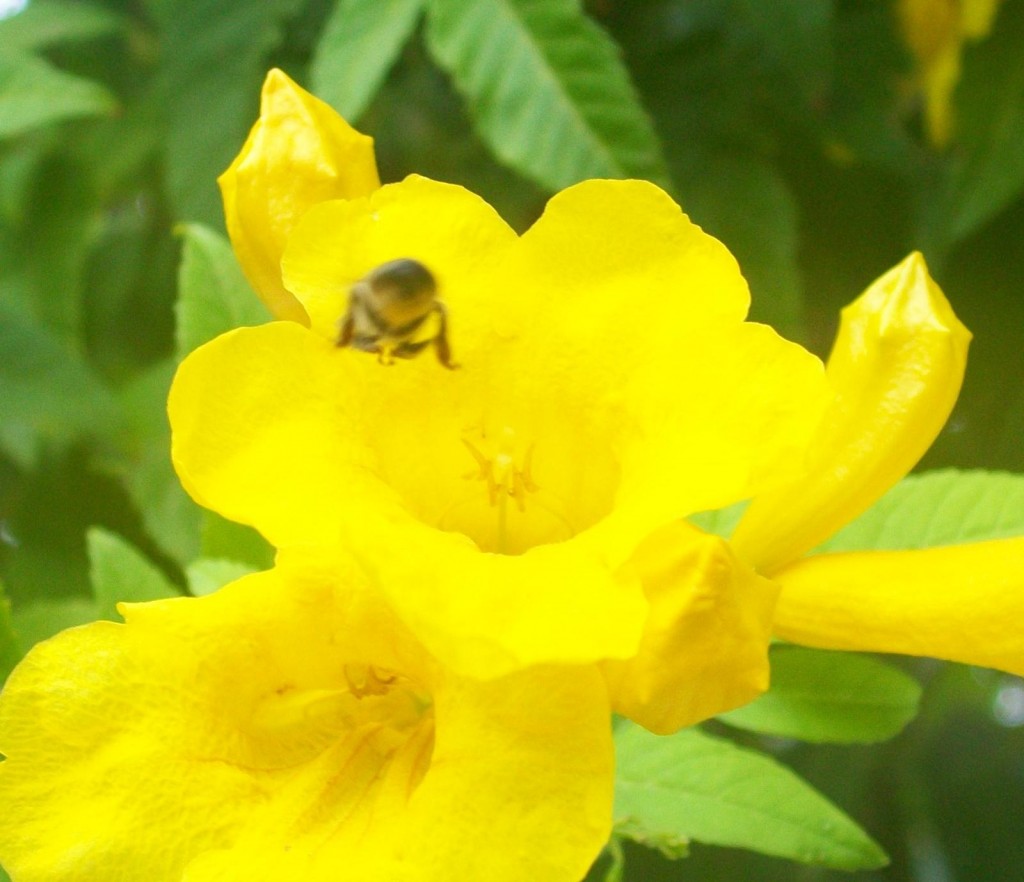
(300, 153)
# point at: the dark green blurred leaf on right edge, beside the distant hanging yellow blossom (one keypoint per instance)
(988, 170)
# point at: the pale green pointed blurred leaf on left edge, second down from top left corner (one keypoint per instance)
(34, 94)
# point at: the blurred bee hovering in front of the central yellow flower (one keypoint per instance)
(394, 311)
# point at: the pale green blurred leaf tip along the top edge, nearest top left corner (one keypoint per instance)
(50, 23)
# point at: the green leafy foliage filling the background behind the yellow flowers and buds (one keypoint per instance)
(791, 130)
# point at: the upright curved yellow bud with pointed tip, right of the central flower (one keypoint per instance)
(897, 368)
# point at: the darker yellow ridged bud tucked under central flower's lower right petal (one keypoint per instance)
(705, 647)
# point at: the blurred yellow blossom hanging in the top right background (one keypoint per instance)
(936, 32)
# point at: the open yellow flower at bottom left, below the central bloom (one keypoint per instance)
(289, 728)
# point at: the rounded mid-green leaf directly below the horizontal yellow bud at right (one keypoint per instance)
(830, 697)
